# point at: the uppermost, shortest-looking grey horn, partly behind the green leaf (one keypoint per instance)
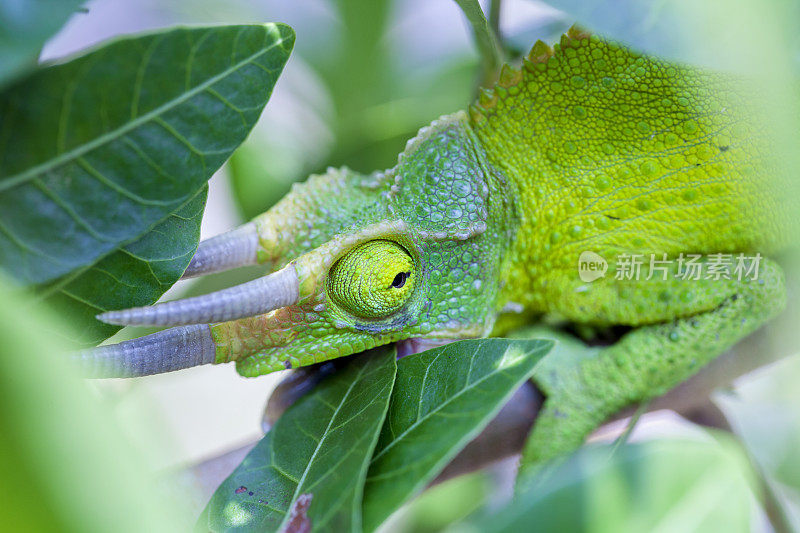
(233, 249)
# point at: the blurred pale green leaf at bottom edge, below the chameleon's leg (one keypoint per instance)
(665, 485)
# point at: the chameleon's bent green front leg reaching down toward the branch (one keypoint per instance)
(648, 361)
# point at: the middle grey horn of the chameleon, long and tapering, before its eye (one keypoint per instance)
(256, 297)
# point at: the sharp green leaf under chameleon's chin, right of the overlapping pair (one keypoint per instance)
(443, 398)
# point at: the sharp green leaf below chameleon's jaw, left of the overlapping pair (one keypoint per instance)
(311, 466)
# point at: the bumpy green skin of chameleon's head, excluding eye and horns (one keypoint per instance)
(437, 204)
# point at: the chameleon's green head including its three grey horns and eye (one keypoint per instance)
(411, 254)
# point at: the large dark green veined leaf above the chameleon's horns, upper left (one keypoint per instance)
(95, 152)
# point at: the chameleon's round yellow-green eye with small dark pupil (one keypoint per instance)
(374, 280)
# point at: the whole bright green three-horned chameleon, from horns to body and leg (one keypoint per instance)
(588, 146)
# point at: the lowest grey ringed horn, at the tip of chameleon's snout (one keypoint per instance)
(171, 349)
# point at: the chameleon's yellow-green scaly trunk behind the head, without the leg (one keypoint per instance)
(617, 153)
